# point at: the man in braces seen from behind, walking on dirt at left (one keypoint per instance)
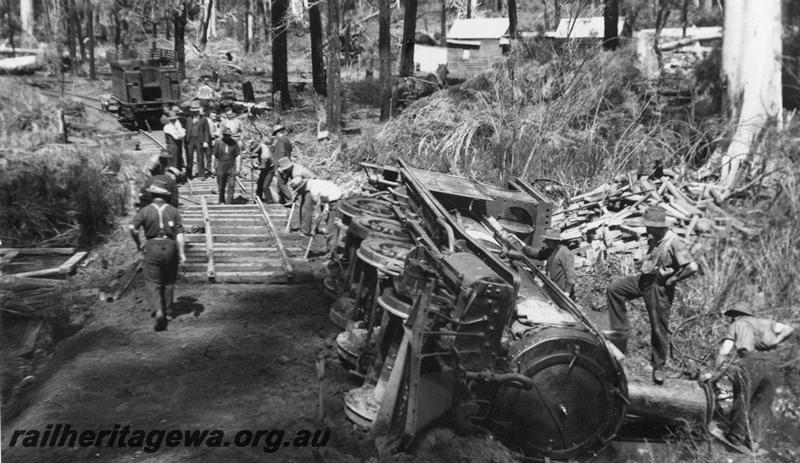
(163, 250)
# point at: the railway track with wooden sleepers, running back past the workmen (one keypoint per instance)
(226, 243)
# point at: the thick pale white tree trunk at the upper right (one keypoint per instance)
(751, 67)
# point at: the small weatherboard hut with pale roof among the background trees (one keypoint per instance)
(474, 44)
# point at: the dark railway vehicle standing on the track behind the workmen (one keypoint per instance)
(142, 81)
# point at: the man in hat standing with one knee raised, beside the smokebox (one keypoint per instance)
(667, 262)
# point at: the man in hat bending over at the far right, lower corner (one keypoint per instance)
(745, 355)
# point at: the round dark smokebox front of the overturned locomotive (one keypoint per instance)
(574, 405)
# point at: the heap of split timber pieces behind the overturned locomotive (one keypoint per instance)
(608, 219)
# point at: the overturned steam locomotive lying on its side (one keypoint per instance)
(437, 323)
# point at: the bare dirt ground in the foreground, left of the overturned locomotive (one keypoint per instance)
(239, 357)
